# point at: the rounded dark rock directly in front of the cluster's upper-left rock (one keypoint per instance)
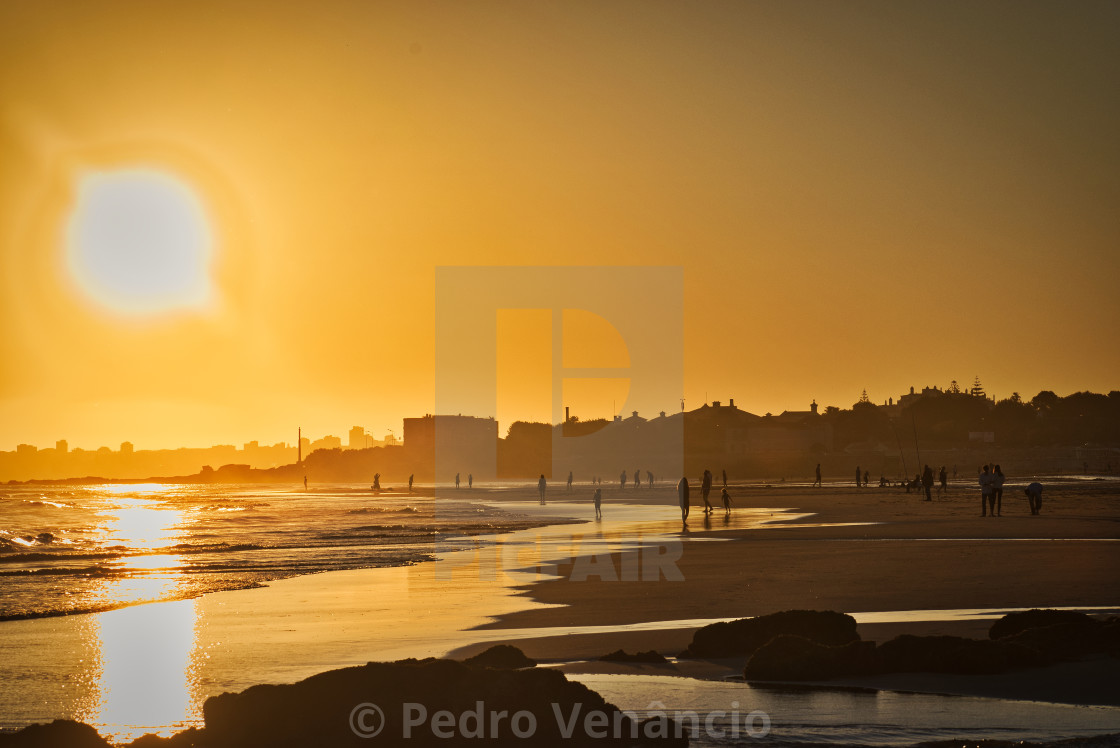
(798, 659)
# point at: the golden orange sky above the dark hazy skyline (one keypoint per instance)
(861, 195)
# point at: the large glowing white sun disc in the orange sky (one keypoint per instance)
(139, 242)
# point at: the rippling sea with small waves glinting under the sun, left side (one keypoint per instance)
(82, 549)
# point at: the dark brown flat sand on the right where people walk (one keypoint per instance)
(918, 555)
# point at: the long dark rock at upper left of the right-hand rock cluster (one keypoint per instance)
(748, 635)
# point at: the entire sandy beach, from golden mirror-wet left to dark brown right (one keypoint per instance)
(639, 581)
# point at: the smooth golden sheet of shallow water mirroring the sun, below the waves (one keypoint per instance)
(150, 668)
